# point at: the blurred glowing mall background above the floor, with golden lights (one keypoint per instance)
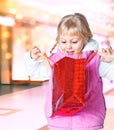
(25, 23)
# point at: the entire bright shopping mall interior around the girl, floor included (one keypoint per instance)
(24, 24)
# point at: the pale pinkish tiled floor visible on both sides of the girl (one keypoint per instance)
(24, 109)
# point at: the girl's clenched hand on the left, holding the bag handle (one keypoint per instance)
(35, 52)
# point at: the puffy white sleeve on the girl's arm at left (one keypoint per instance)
(36, 69)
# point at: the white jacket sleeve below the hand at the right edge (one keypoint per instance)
(106, 70)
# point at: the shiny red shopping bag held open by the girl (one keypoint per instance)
(68, 86)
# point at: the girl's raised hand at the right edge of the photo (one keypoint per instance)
(107, 55)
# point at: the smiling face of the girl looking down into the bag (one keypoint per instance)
(71, 44)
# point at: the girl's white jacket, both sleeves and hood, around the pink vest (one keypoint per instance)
(40, 69)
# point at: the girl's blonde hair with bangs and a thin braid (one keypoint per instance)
(74, 24)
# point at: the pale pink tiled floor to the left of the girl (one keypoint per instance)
(23, 109)
